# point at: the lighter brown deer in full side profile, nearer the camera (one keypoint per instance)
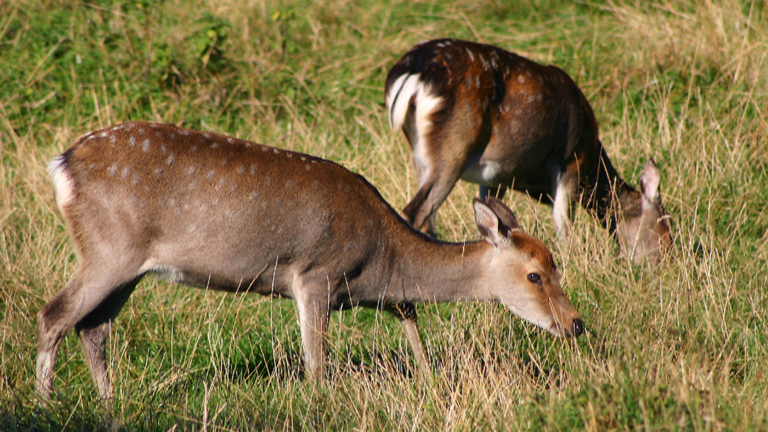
(217, 212)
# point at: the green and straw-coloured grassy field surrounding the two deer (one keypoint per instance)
(680, 346)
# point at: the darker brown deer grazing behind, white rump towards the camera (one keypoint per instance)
(493, 118)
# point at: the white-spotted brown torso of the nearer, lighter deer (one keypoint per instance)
(213, 211)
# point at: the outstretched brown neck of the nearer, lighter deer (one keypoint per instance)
(433, 271)
